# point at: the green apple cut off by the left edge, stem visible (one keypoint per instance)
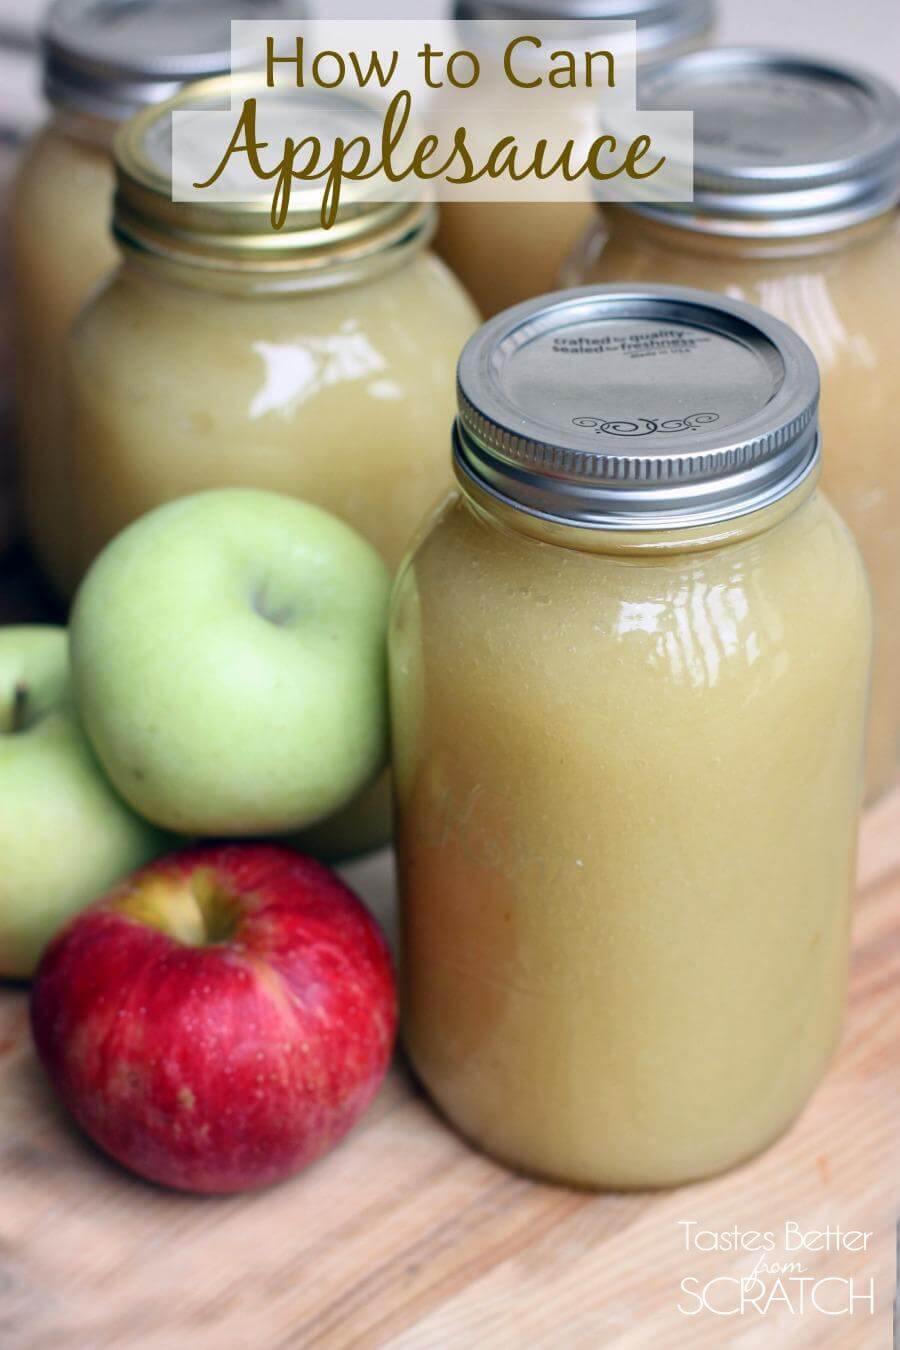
(65, 838)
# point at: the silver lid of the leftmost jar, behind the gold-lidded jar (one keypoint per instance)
(107, 59)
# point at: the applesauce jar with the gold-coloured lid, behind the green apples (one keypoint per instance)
(319, 364)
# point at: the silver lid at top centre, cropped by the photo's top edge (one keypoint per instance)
(663, 26)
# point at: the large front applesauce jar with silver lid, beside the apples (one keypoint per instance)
(629, 669)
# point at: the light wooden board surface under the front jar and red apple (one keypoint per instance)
(407, 1239)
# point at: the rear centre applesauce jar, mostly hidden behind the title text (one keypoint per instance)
(505, 252)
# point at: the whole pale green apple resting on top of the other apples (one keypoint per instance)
(229, 655)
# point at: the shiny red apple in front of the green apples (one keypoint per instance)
(225, 1067)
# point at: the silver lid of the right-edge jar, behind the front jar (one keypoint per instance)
(783, 144)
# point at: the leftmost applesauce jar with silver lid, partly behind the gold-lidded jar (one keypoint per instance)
(102, 64)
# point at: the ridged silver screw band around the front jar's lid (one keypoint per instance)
(717, 477)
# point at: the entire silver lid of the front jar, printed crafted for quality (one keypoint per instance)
(638, 408)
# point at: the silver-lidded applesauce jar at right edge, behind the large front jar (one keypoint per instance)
(797, 182)
